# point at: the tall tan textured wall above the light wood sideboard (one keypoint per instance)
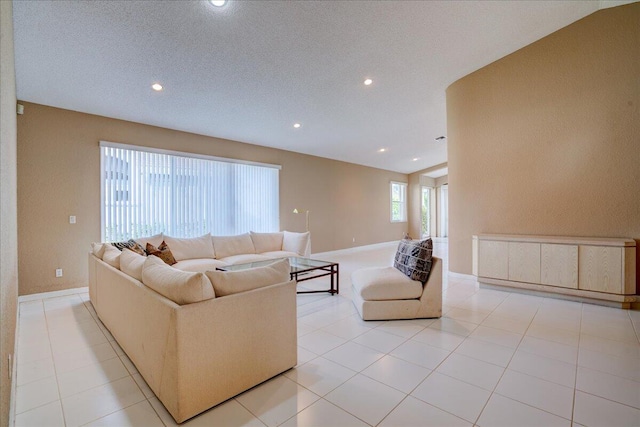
(547, 140)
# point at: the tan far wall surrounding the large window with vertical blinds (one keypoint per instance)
(59, 175)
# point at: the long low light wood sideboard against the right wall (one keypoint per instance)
(597, 270)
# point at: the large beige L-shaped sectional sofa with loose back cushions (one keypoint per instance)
(196, 335)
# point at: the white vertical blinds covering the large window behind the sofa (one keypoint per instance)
(145, 192)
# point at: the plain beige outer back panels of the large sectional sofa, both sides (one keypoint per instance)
(198, 355)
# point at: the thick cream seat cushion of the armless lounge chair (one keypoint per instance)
(385, 283)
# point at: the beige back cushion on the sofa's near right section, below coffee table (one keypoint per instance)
(231, 282)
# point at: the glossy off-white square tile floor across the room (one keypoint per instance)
(493, 359)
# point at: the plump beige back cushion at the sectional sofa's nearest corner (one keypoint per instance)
(180, 287)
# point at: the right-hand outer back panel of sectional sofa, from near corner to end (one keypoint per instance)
(229, 344)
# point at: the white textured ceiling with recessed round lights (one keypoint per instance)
(250, 70)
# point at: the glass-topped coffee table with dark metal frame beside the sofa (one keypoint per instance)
(302, 269)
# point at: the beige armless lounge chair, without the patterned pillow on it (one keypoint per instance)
(374, 301)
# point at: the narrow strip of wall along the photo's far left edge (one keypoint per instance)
(8, 233)
